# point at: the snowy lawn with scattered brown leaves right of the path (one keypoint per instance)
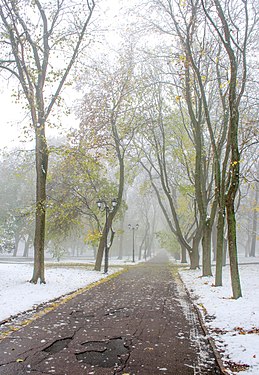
(234, 324)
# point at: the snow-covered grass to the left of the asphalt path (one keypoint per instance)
(18, 295)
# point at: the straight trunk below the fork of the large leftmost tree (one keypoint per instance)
(41, 178)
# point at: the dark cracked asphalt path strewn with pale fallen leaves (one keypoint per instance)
(140, 322)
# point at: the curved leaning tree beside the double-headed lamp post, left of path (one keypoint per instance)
(108, 121)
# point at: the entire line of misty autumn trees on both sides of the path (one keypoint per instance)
(176, 106)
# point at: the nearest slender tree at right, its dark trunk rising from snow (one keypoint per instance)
(231, 23)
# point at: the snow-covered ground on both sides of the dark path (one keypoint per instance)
(234, 324)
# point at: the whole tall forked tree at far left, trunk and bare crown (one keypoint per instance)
(40, 44)
